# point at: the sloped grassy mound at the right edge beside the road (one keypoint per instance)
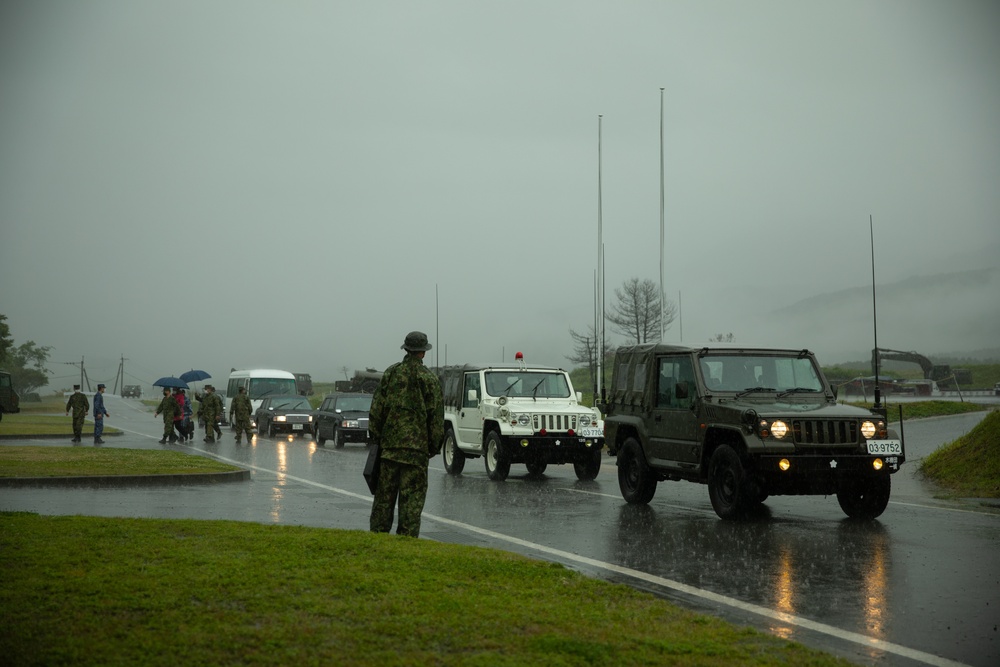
(970, 466)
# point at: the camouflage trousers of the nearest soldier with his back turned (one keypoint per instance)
(409, 484)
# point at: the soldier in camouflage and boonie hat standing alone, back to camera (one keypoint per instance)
(407, 421)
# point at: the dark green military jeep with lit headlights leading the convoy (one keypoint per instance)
(749, 423)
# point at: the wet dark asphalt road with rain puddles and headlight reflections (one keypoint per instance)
(919, 586)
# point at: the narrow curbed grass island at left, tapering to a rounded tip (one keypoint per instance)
(68, 461)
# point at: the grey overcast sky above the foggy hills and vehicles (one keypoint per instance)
(218, 184)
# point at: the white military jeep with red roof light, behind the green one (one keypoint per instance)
(516, 414)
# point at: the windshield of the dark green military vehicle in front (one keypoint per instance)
(741, 373)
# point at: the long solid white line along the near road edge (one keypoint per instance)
(822, 628)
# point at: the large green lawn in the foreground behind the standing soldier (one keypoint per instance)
(98, 591)
